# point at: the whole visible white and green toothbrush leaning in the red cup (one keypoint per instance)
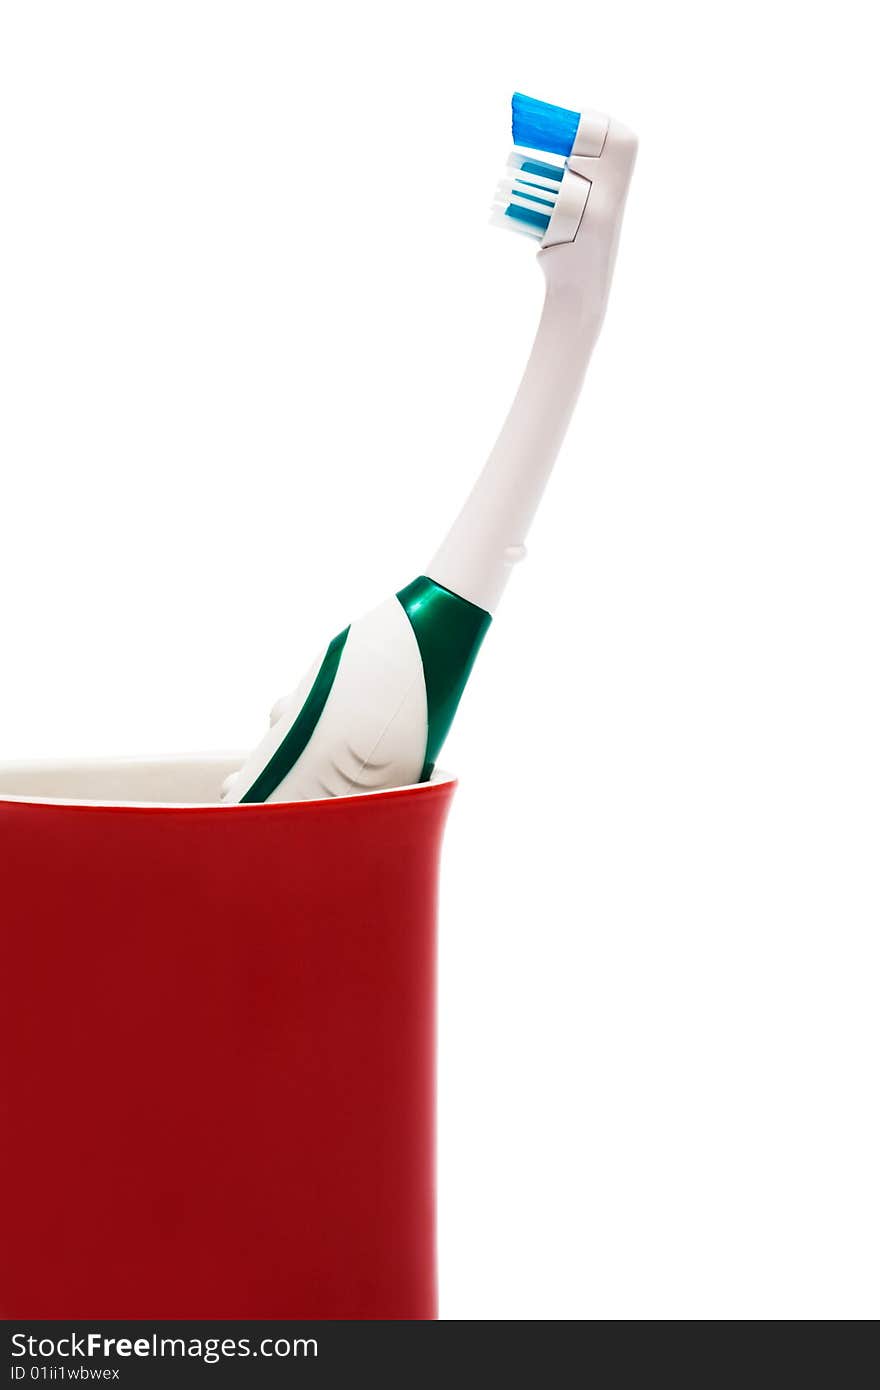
(375, 710)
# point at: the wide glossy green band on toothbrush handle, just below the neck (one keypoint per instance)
(450, 632)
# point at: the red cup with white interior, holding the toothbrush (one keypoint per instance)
(218, 1047)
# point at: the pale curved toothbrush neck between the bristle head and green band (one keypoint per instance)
(489, 537)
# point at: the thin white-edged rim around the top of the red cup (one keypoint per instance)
(222, 764)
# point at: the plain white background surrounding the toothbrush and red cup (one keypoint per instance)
(255, 343)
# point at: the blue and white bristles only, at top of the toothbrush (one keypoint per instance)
(544, 136)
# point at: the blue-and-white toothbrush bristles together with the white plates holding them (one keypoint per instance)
(550, 172)
